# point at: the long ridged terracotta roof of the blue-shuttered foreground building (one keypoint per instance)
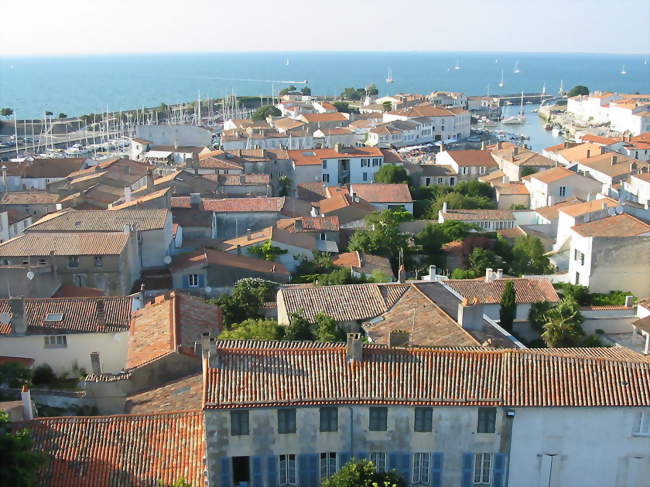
(269, 374)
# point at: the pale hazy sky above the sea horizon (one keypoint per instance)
(44, 27)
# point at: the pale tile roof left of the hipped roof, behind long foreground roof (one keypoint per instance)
(343, 302)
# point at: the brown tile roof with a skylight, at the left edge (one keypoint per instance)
(80, 315)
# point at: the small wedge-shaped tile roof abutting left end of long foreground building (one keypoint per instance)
(177, 395)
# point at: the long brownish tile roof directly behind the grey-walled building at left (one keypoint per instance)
(101, 221)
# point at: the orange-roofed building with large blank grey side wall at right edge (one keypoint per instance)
(611, 253)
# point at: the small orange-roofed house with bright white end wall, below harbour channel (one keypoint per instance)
(554, 185)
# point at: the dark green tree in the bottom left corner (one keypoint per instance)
(20, 464)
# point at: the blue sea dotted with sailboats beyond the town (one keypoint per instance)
(82, 84)
